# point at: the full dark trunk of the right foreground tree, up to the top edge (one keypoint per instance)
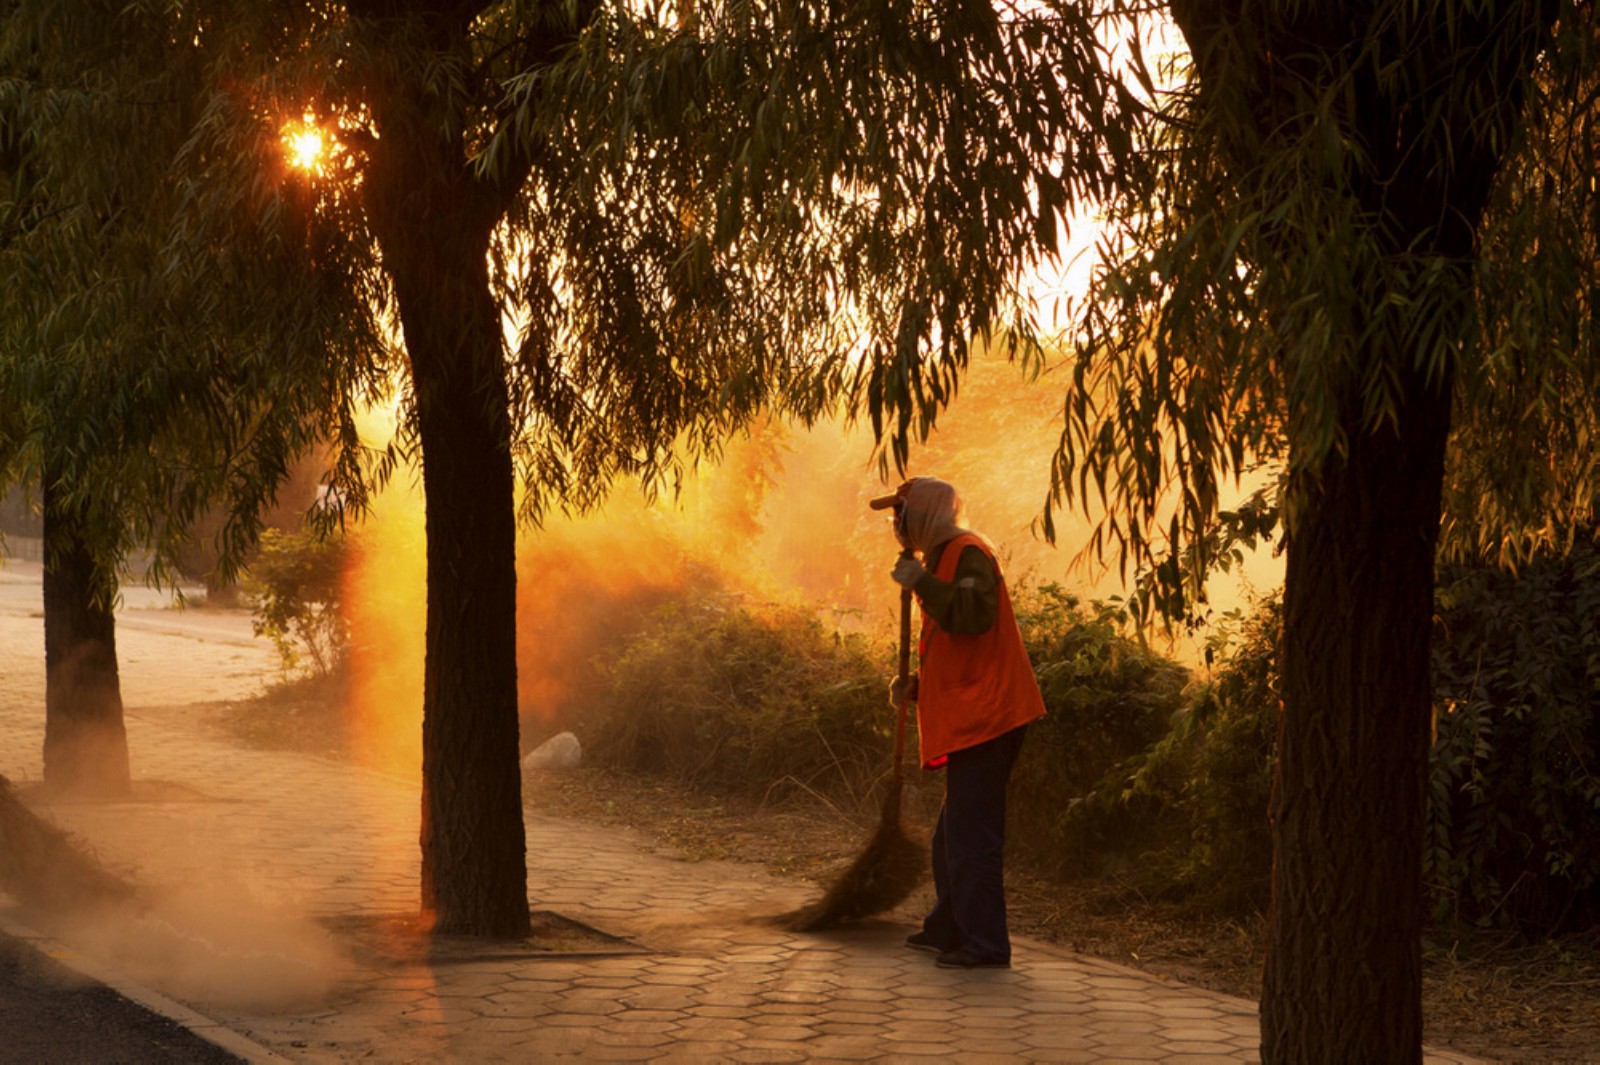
(1433, 114)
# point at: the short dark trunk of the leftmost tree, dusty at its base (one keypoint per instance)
(86, 740)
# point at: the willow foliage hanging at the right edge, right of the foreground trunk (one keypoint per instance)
(1522, 476)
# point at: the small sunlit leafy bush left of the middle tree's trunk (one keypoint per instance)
(297, 581)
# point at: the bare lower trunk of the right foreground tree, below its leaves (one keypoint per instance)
(1343, 979)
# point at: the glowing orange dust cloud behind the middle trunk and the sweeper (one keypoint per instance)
(782, 519)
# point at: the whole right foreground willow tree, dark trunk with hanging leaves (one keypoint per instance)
(1306, 277)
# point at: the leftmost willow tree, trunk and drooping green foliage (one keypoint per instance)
(138, 381)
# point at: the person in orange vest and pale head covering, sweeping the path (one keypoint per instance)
(977, 695)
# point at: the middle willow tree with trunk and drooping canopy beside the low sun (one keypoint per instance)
(694, 210)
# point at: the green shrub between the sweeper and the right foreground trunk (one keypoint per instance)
(1175, 788)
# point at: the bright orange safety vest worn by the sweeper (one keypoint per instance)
(972, 688)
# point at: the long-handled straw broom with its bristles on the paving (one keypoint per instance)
(890, 868)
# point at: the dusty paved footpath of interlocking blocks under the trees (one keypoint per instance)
(281, 874)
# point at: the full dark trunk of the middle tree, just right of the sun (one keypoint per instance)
(434, 220)
